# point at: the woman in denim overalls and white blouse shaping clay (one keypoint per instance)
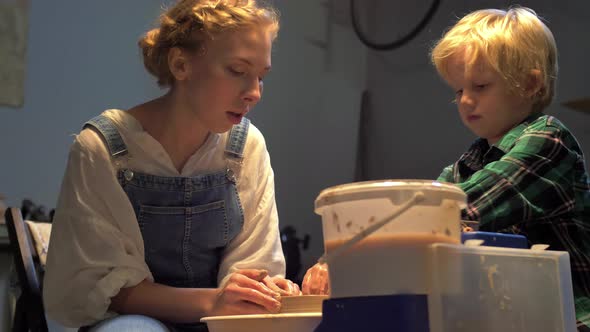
(167, 211)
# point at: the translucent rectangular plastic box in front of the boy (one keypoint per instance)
(501, 289)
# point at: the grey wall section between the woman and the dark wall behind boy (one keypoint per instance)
(309, 112)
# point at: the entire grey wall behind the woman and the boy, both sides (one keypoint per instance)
(82, 58)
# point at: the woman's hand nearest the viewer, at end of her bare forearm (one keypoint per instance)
(246, 293)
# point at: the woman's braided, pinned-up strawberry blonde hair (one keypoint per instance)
(190, 22)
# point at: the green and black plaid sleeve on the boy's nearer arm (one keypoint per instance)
(533, 180)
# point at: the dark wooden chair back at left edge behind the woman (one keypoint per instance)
(29, 312)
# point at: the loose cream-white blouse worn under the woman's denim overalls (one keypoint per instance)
(96, 246)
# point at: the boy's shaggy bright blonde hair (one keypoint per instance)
(513, 42)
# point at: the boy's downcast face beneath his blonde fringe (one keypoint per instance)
(485, 104)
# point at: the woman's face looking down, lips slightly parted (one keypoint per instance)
(225, 79)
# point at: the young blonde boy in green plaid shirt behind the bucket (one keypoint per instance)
(525, 173)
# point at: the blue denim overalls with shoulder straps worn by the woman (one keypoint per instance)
(185, 222)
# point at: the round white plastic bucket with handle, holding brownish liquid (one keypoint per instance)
(393, 259)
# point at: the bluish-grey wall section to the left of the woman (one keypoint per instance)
(81, 59)
